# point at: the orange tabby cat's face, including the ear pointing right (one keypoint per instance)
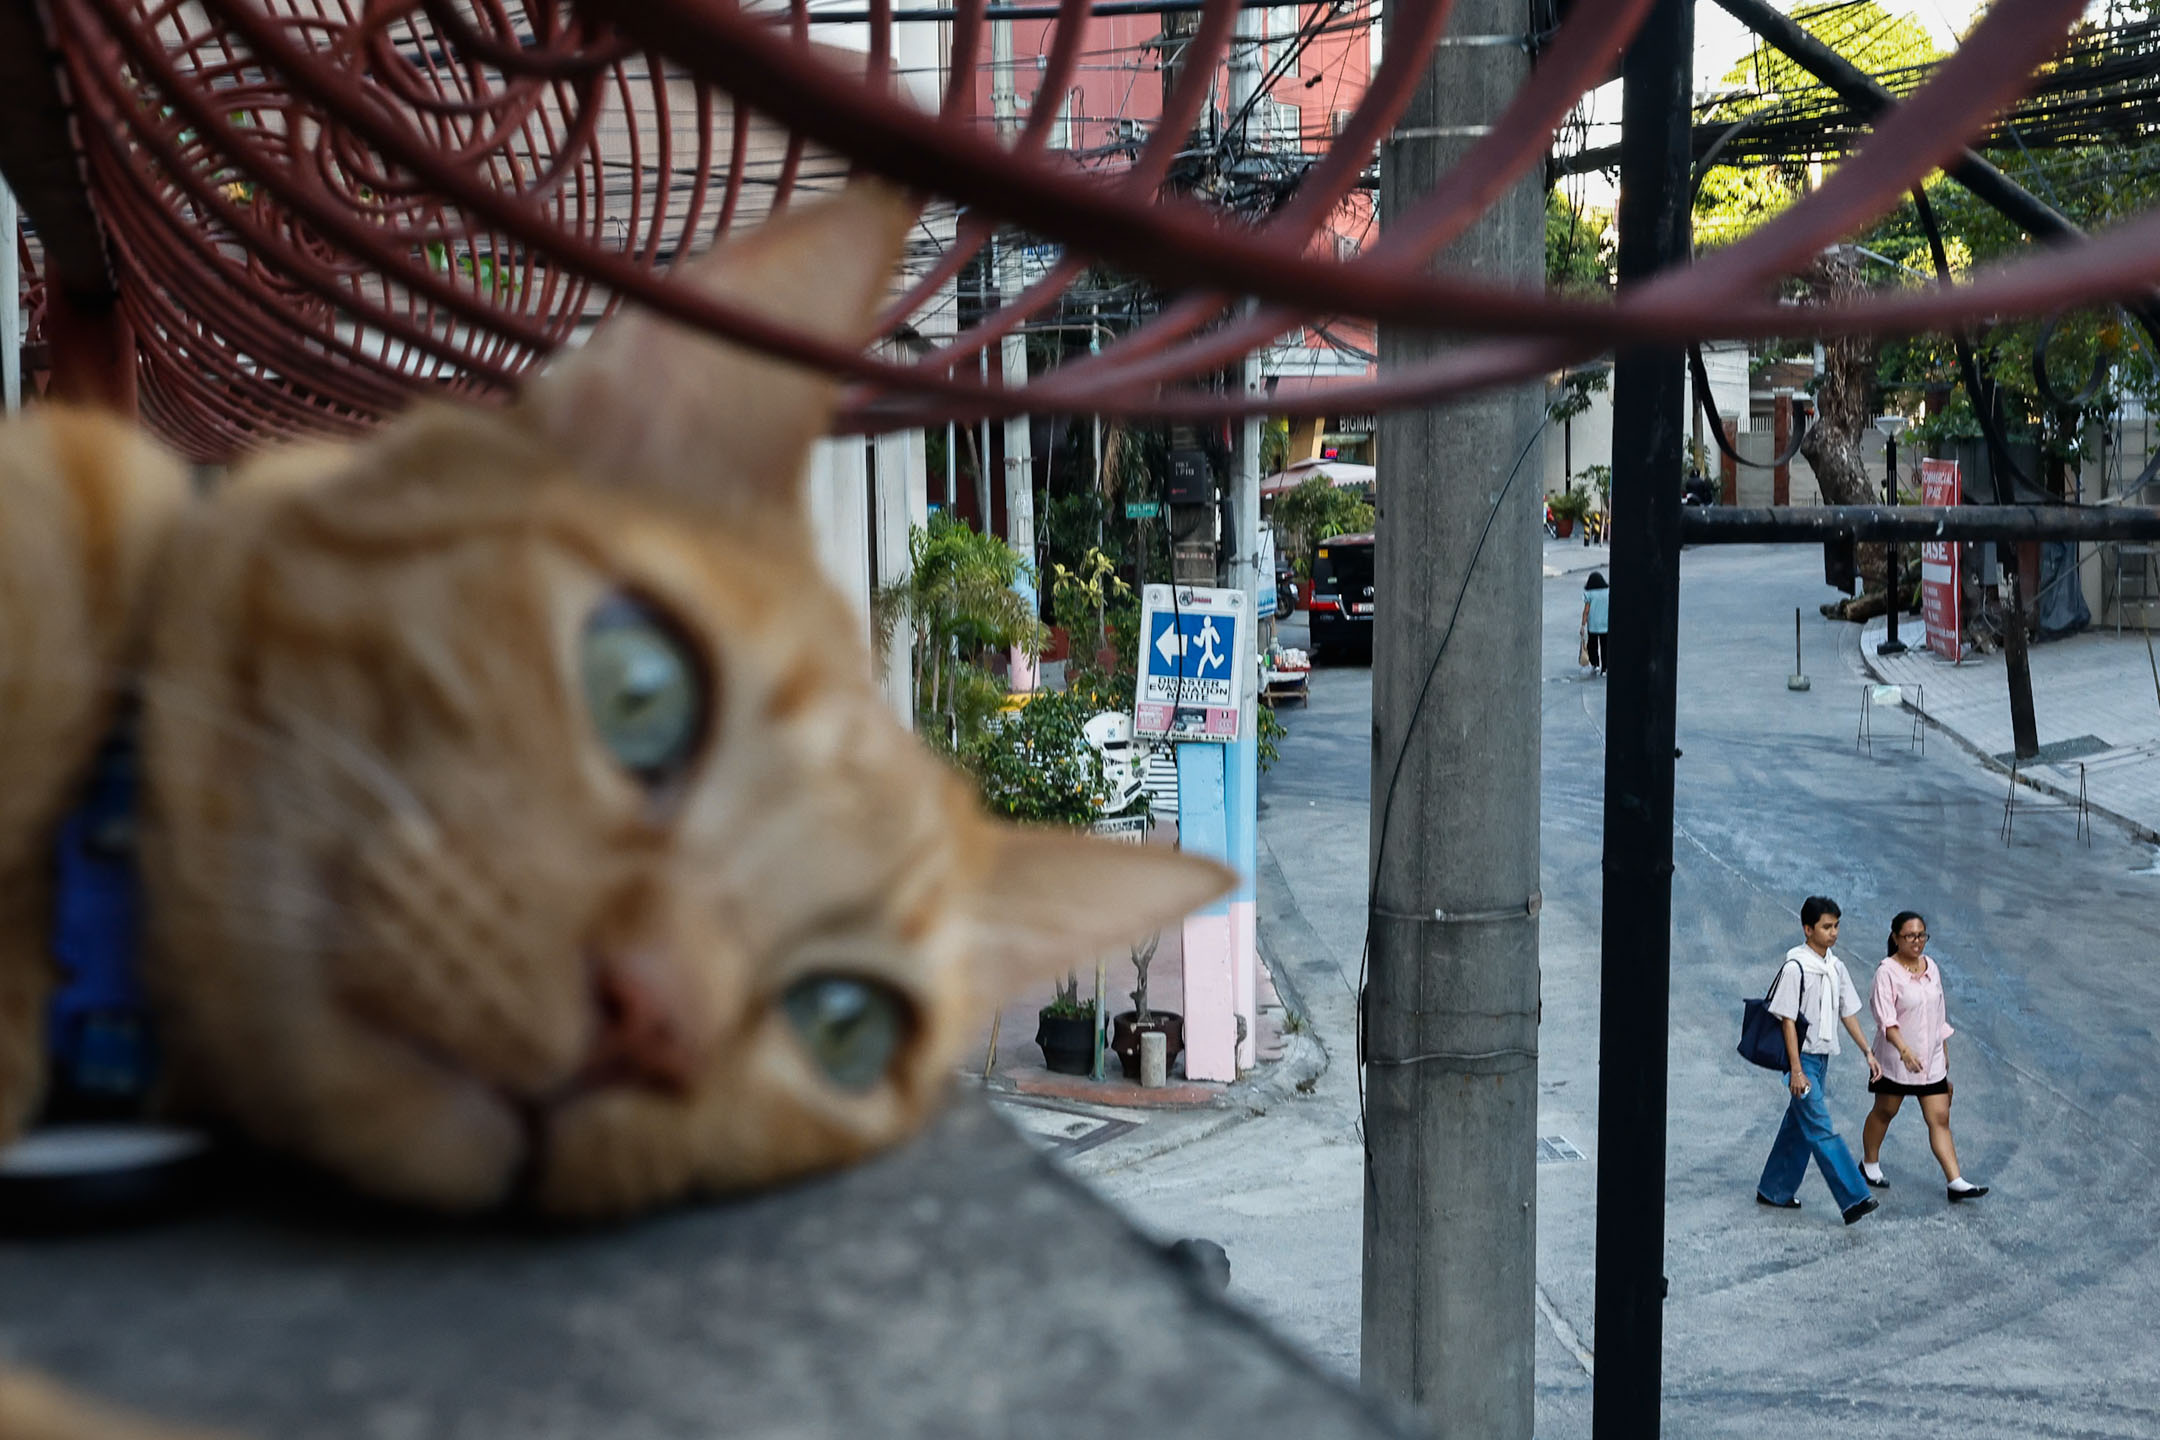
(524, 826)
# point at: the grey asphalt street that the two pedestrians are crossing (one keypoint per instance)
(2023, 1314)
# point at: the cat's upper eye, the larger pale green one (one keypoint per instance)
(645, 688)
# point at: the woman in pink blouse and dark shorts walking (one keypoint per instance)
(1911, 1031)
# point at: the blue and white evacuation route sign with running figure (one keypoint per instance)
(1191, 681)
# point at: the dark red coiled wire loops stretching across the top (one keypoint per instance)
(319, 208)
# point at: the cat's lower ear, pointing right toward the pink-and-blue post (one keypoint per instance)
(1053, 901)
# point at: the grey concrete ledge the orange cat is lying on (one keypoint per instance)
(958, 1288)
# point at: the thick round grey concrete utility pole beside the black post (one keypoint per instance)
(1453, 996)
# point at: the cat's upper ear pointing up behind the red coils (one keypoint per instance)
(653, 403)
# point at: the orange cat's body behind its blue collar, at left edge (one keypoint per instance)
(83, 504)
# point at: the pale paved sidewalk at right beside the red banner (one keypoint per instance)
(2094, 701)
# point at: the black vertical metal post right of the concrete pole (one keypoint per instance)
(1636, 947)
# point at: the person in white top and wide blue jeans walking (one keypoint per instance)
(1815, 988)
